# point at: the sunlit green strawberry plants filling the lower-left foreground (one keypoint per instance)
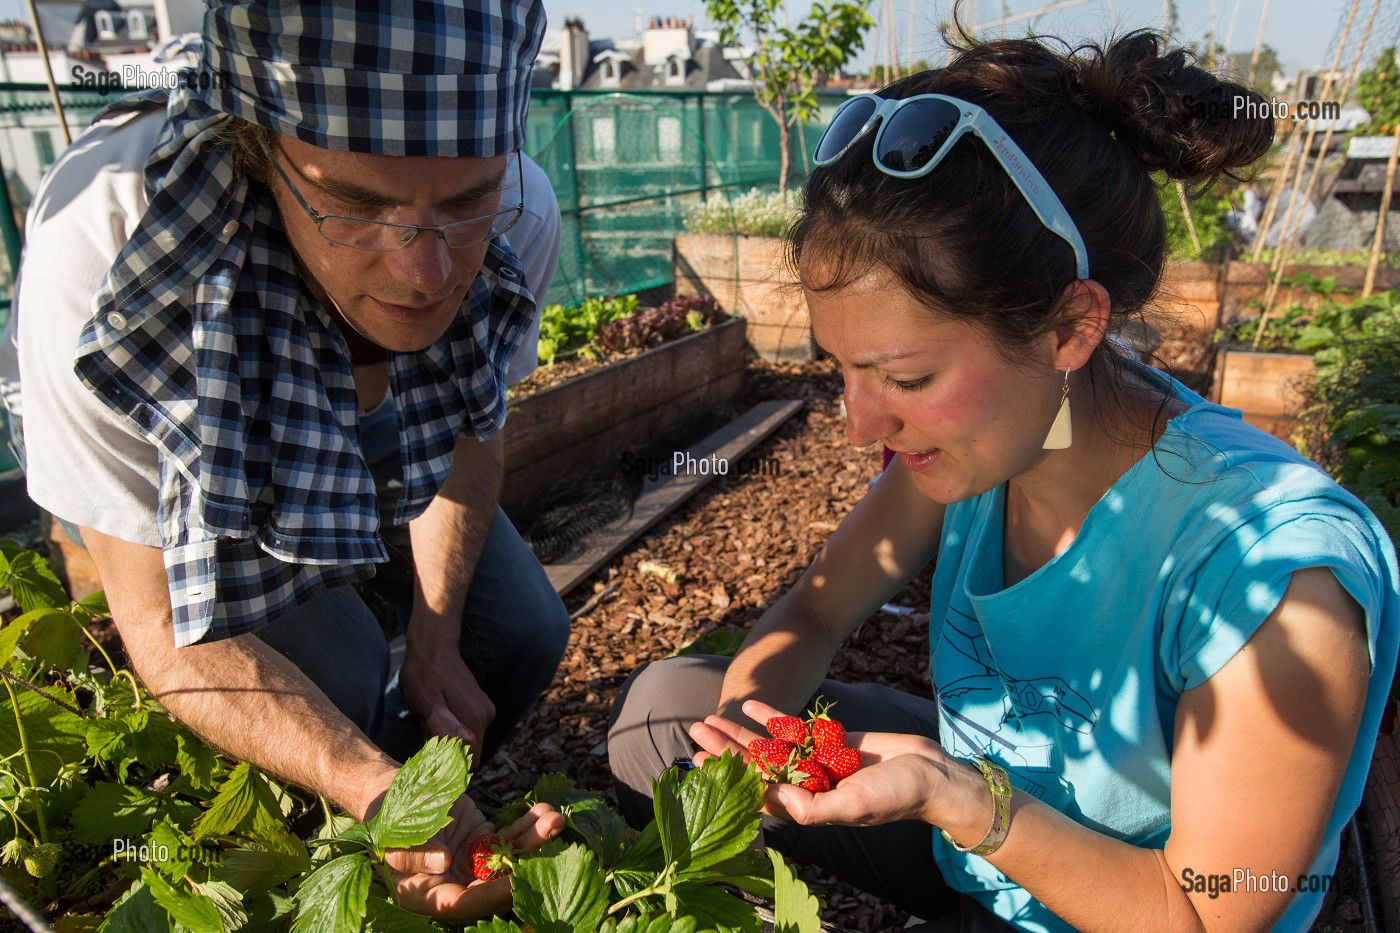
(103, 792)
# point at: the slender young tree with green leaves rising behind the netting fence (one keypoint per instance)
(786, 62)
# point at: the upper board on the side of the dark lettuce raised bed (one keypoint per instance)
(589, 406)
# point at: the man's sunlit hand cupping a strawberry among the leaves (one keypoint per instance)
(436, 879)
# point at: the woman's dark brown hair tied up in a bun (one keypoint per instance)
(1097, 123)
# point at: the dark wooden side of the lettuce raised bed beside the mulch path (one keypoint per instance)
(596, 417)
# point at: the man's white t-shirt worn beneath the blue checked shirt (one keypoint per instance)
(83, 464)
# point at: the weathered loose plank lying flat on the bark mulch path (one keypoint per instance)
(660, 497)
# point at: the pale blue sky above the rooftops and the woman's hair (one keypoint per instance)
(1304, 33)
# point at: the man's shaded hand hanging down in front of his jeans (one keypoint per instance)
(444, 693)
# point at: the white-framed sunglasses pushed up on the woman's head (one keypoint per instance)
(918, 132)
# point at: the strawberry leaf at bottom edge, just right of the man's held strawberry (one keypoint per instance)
(562, 890)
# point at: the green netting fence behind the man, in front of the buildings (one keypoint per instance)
(625, 169)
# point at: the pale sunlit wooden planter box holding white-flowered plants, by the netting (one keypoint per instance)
(748, 278)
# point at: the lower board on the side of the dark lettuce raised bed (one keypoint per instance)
(530, 480)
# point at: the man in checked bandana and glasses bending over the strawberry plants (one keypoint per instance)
(230, 292)
